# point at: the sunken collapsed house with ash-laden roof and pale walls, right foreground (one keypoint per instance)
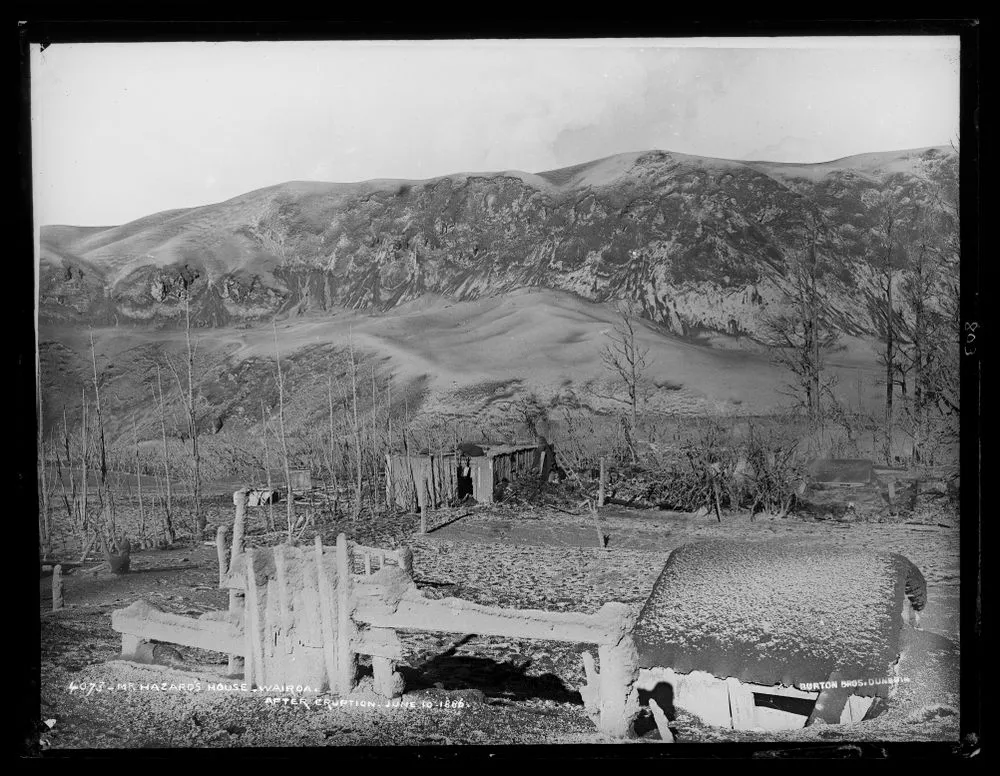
(775, 635)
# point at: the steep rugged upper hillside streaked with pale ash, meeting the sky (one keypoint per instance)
(697, 244)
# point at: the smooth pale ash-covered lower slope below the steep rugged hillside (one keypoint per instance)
(475, 360)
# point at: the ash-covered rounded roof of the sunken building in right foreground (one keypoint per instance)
(772, 612)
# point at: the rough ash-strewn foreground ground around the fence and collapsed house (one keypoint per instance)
(461, 688)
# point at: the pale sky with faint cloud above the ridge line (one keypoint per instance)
(123, 130)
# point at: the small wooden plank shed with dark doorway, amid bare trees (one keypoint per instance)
(476, 470)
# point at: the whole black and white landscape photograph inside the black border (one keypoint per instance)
(470, 393)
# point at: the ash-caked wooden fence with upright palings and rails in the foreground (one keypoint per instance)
(302, 615)
